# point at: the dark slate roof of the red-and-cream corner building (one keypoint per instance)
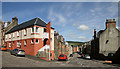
(36, 21)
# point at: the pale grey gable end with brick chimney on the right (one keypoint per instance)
(108, 39)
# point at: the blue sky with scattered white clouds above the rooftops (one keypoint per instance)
(75, 21)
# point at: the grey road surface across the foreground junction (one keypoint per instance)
(13, 61)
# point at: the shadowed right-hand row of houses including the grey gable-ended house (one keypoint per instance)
(105, 42)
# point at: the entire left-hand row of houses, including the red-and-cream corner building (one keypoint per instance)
(34, 36)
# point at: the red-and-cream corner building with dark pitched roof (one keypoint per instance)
(33, 36)
